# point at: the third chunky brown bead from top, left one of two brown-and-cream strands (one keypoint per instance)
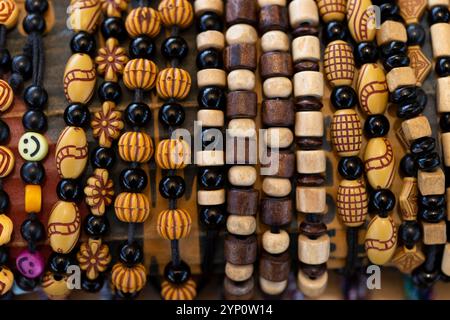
(241, 104)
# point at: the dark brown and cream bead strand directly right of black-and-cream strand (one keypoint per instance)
(241, 245)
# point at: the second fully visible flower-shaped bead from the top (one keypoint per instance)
(107, 124)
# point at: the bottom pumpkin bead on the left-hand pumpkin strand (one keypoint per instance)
(128, 279)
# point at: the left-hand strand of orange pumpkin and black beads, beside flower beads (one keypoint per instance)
(132, 206)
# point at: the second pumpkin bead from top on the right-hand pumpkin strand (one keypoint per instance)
(173, 83)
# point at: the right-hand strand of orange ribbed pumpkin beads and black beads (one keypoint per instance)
(173, 85)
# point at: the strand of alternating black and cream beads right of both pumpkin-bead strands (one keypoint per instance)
(211, 80)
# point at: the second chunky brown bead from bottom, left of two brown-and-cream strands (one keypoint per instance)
(240, 250)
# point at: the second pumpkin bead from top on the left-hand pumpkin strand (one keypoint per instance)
(140, 74)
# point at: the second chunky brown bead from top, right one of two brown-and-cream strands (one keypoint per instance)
(276, 64)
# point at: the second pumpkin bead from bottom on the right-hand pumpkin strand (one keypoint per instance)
(174, 224)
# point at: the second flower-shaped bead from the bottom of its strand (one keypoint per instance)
(99, 191)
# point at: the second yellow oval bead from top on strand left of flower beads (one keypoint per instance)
(79, 78)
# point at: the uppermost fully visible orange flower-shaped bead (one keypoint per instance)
(111, 60)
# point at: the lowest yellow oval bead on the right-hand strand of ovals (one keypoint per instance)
(381, 240)
